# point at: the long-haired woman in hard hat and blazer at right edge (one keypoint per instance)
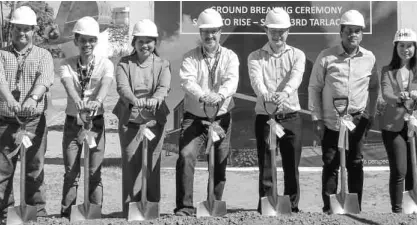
(399, 90)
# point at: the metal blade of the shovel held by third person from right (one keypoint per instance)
(271, 208)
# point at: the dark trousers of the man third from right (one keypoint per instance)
(290, 149)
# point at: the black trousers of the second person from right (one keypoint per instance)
(354, 160)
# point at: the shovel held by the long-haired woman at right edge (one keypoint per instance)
(410, 196)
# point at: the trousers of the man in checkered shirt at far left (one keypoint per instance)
(35, 157)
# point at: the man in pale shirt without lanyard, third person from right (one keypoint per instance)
(276, 71)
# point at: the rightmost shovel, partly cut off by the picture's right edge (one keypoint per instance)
(410, 197)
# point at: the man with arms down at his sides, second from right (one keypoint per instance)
(346, 71)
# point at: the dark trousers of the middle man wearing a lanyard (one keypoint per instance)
(193, 137)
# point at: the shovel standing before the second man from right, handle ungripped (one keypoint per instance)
(343, 202)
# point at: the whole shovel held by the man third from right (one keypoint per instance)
(275, 204)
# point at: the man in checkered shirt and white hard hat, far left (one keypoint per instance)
(26, 74)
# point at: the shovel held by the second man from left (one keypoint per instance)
(87, 210)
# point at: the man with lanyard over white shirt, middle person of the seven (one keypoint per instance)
(209, 75)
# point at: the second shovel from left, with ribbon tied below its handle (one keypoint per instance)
(86, 210)
